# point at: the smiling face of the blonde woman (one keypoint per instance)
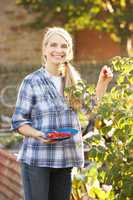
(56, 50)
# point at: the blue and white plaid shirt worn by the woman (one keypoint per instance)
(40, 105)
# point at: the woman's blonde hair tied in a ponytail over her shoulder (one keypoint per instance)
(69, 73)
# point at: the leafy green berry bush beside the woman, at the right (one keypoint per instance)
(111, 147)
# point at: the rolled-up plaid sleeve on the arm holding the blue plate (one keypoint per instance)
(22, 113)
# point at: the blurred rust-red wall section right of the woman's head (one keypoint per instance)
(95, 45)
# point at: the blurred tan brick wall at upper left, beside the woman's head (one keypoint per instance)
(19, 45)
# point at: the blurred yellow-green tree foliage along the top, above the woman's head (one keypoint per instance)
(112, 16)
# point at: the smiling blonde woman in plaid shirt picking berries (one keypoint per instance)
(41, 105)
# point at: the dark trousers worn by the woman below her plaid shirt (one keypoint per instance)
(41, 183)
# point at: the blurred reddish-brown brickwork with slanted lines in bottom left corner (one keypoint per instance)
(10, 179)
